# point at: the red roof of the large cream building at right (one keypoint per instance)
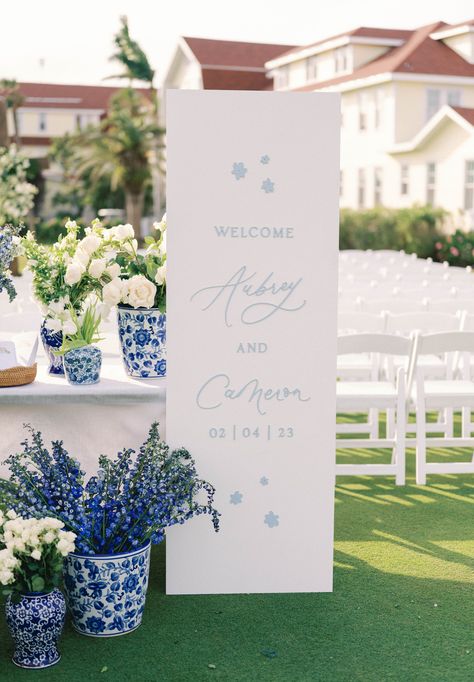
(419, 54)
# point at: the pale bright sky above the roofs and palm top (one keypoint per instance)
(62, 41)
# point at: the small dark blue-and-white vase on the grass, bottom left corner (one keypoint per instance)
(35, 624)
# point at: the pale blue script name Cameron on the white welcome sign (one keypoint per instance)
(218, 388)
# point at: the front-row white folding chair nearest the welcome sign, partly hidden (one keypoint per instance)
(366, 396)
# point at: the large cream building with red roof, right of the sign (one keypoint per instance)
(407, 101)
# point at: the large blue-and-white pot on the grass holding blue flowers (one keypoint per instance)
(106, 593)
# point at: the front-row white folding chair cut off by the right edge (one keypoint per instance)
(438, 394)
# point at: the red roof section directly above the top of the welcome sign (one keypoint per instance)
(209, 52)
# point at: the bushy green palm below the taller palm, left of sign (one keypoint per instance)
(120, 149)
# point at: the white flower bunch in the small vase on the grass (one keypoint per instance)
(32, 553)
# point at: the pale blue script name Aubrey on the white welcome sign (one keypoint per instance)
(273, 296)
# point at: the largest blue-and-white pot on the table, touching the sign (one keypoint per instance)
(142, 335)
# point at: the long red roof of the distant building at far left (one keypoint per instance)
(59, 96)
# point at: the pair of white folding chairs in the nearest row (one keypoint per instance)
(398, 384)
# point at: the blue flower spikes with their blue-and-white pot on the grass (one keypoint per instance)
(116, 515)
